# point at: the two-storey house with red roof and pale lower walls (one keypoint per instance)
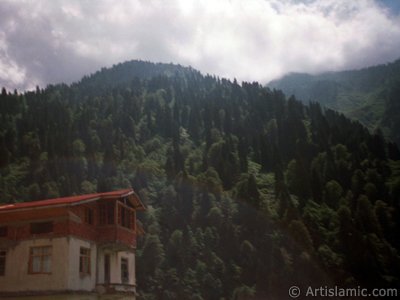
(81, 244)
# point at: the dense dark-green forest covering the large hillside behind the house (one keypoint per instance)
(248, 192)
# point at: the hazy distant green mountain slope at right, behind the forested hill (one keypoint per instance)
(370, 95)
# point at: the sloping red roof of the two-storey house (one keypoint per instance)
(66, 200)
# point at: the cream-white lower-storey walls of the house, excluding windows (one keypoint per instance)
(64, 267)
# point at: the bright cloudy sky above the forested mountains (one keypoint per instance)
(48, 42)
